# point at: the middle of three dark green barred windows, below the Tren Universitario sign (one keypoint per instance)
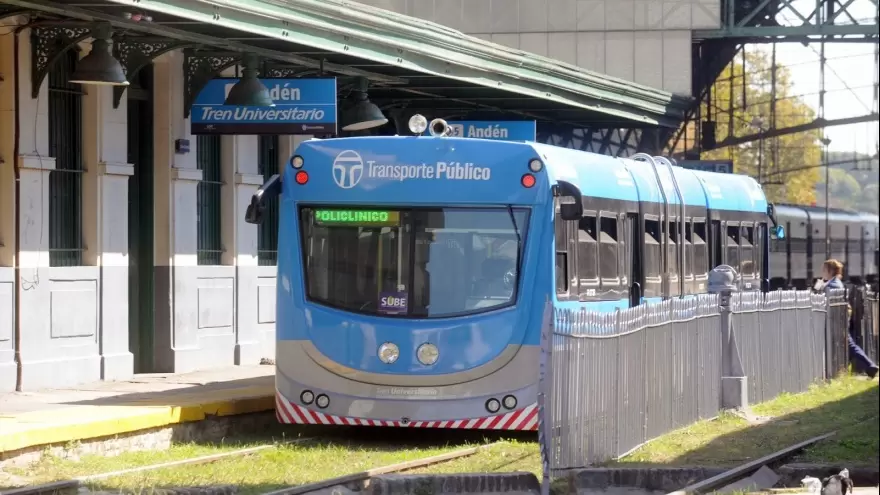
(210, 244)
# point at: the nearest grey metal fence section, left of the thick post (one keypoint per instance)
(620, 379)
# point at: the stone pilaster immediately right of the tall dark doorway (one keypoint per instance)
(176, 223)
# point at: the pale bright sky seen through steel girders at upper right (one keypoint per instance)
(848, 65)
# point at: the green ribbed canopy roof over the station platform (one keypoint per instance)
(412, 63)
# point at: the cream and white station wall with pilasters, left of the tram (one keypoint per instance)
(74, 320)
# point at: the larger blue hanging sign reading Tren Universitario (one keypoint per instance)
(302, 106)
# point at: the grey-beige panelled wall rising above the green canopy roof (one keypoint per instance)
(645, 41)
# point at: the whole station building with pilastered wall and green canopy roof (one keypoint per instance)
(123, 246)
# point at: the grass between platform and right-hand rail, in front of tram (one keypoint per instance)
(340, 451)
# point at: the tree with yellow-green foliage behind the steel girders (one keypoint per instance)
(786, 160)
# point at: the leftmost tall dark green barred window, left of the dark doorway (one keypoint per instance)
(65, 182)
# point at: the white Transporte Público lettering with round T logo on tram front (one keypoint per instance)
(349, 168)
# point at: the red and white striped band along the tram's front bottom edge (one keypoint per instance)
(525, 419)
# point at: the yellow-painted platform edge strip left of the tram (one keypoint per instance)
(31, 430)
